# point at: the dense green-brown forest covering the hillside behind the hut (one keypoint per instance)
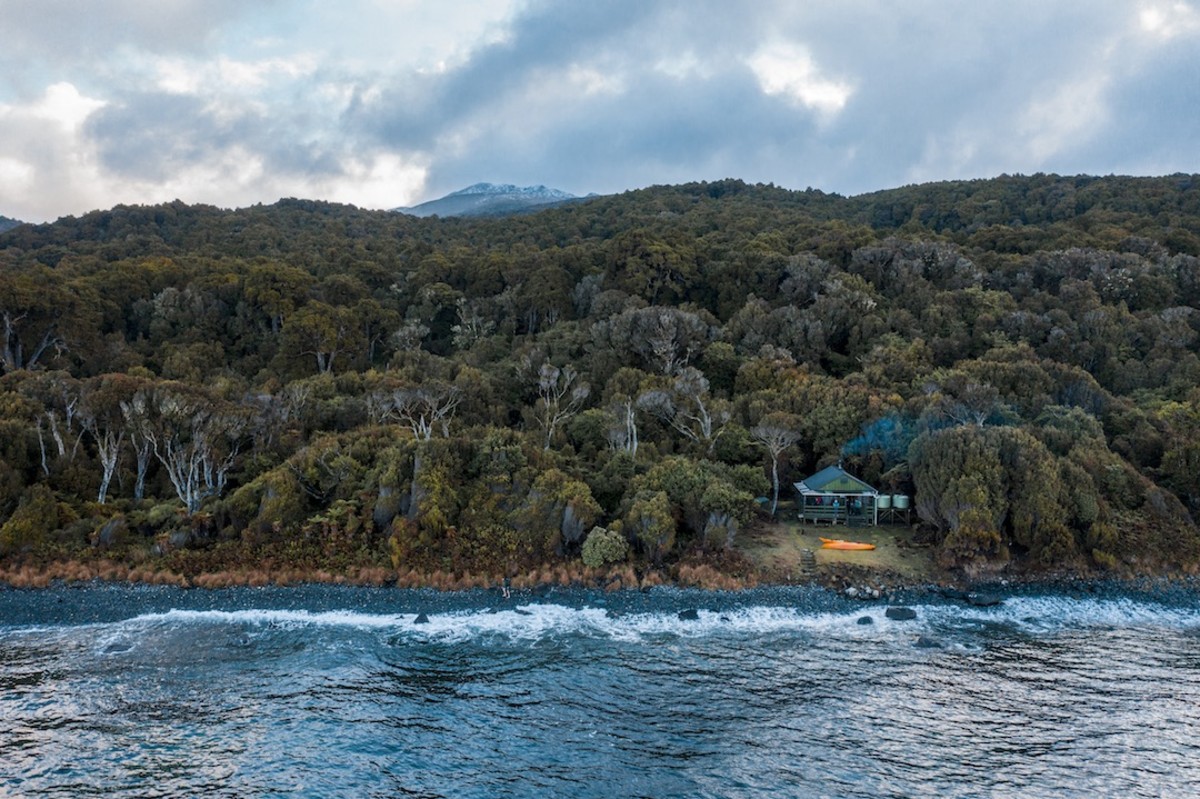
(629, 380)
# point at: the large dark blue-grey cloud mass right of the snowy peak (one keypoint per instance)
(938, 93)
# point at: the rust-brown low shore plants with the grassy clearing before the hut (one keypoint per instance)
(770, 557)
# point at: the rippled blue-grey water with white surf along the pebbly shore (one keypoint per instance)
(325, 692)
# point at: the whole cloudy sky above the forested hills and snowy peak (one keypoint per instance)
(386, 104)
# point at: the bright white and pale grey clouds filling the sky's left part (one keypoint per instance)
(207, 103)
